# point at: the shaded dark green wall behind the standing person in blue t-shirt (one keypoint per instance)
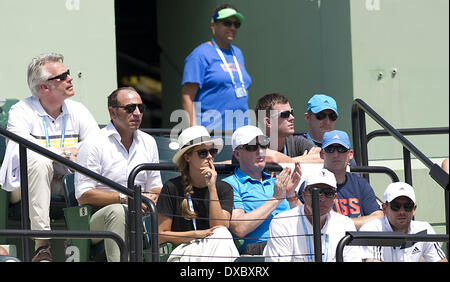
(297, 48)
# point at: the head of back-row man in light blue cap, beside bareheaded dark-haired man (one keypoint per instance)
(321, 114)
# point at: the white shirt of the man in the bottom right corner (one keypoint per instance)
(412, 252)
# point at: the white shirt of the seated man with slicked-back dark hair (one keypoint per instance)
(106, 155)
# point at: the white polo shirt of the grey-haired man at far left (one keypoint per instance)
(28, 119)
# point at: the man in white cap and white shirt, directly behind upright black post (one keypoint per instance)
(288, 235)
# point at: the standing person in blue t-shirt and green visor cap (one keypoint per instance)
(215, 82)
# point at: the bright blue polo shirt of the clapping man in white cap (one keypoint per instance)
(250, 194)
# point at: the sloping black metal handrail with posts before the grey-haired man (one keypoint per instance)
(26, 144)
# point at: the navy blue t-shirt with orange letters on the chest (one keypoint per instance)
(355, 197)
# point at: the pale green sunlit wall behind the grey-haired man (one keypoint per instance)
(83, 31)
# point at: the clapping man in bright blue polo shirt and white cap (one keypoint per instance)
(258, 197)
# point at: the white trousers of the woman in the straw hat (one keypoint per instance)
(218, 247)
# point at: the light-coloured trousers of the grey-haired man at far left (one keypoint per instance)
(41, 183)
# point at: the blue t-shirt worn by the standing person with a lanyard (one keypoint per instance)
(216, 92)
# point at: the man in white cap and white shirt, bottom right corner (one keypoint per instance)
(399, 208)
